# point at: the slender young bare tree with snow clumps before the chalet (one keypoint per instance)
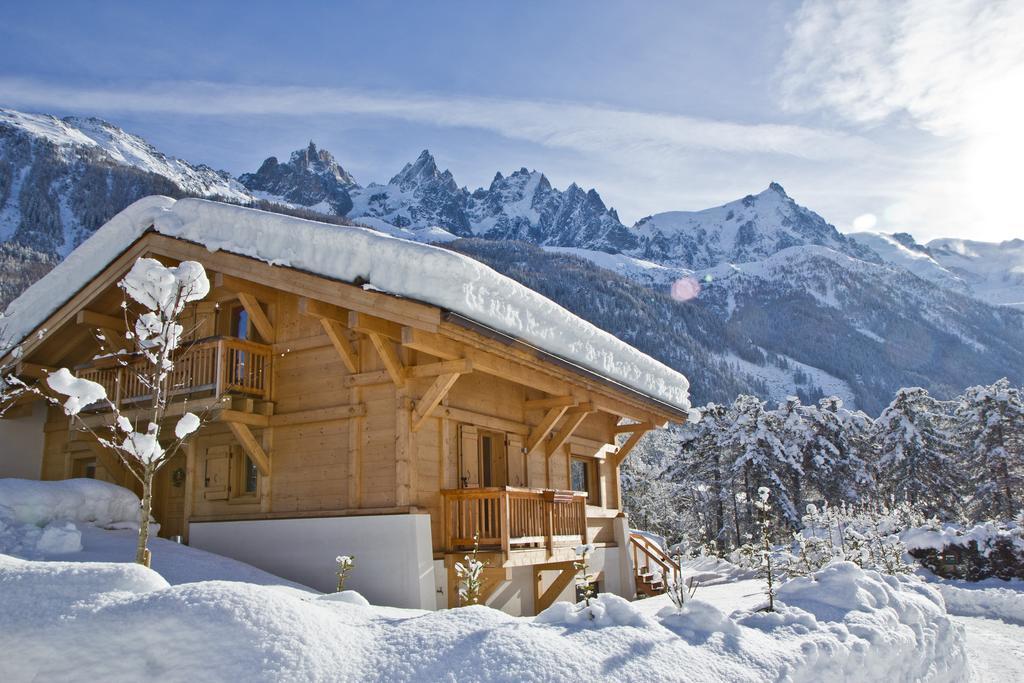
(161, 293)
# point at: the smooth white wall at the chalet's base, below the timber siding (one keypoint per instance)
(394, 557)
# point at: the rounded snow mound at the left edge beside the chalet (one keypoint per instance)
(39, 503)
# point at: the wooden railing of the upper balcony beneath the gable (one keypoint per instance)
(218, 365)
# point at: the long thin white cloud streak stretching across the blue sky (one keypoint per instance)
(584, 129)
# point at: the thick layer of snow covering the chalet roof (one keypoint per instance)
(423, 273)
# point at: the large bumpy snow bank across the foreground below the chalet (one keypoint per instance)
(70, 621)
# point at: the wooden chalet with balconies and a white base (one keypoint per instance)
(347, 420)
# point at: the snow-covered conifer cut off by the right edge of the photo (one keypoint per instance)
(992, 422)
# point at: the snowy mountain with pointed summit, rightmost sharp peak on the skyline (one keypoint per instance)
(750, 229)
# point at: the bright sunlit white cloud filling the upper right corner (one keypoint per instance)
(954, 69)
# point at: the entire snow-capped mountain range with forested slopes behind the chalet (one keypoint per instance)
(760, 295)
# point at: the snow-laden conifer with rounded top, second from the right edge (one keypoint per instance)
(916, 450)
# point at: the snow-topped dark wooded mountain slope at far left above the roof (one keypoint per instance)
(62, 179)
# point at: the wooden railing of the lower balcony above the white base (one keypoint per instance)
(513, 519)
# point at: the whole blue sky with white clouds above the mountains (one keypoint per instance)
(875, 115)
